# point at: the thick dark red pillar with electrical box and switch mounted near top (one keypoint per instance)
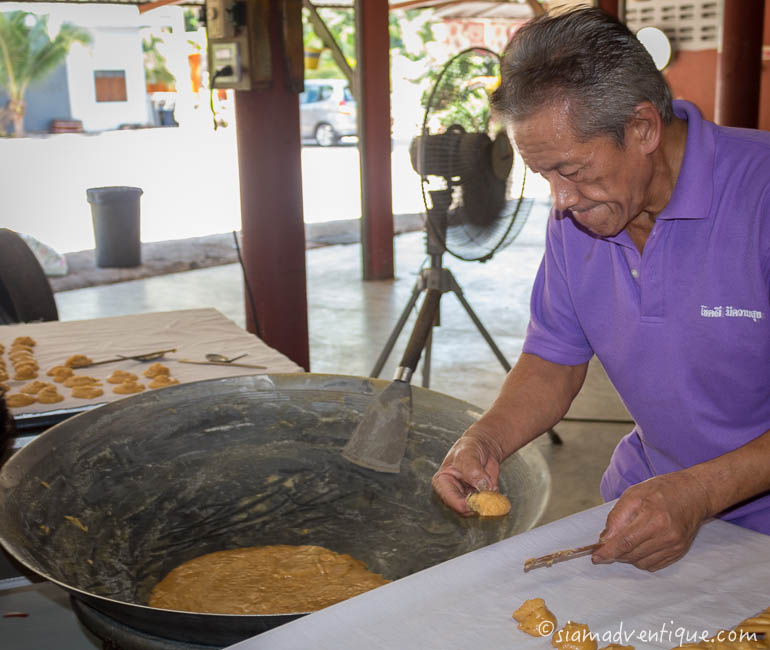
(269, 163)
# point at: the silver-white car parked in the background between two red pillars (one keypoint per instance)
(327, 111)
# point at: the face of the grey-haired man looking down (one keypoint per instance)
(603, 185)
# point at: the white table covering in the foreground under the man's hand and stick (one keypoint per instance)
(466, 603)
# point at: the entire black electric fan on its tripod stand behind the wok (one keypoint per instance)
(472, 186)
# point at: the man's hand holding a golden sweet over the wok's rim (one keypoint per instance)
(473, 463)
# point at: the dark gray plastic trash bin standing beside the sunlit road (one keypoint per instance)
(115, 212)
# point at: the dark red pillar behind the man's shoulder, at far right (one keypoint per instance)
(739, 64)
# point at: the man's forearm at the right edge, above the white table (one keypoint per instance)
(735, 476)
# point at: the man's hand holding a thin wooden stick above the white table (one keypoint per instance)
(653, 523)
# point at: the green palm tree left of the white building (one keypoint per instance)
(28, 54)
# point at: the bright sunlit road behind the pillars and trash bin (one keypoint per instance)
(189, 178)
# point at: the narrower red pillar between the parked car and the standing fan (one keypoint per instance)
(373, 74)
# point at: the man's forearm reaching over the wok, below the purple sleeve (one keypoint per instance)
(535, 396)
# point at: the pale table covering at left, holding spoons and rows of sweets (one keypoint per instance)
(193, 332)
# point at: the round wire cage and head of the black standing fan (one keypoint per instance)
(467, 208)
